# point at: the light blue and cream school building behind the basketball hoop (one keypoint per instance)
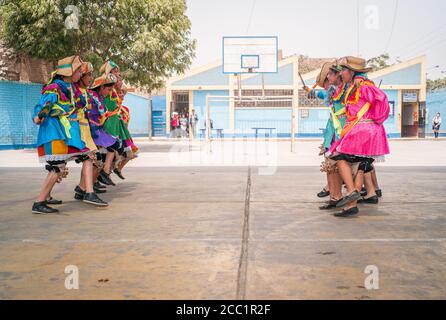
(404, 84)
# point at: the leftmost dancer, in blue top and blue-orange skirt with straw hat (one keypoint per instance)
(59, 138)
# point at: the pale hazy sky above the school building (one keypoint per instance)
(326, 28)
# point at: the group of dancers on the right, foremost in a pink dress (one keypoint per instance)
(354, 137)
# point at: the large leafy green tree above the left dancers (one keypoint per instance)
(149, 39)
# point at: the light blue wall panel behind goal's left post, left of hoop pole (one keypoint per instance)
(219, 109)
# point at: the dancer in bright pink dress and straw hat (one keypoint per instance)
(363, 138)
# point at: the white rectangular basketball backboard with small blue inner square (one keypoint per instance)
(250, 54)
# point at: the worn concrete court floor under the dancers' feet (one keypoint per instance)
(224, 233)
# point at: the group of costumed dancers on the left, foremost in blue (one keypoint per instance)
(82, 119)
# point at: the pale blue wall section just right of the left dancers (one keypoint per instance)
(139, 112)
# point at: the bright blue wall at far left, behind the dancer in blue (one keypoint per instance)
(17, 101)
